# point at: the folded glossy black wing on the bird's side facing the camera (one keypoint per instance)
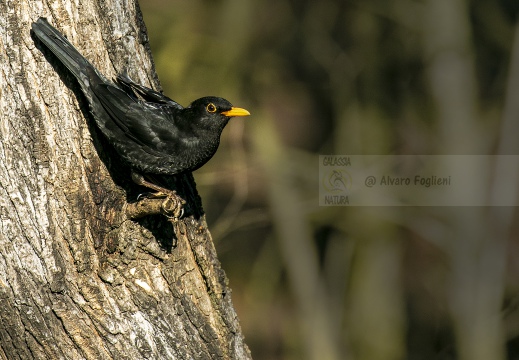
(148, 124)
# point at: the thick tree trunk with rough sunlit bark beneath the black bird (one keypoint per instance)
(78, 278)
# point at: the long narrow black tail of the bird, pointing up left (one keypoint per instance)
(63, 49)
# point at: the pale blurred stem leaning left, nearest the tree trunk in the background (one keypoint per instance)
(297, 249)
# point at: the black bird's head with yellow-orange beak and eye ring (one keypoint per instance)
(212, 112)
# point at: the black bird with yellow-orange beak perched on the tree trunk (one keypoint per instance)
(151, 132)
